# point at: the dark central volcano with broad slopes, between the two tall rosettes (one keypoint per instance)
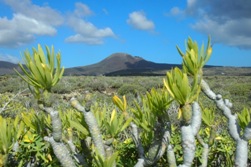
(120, 64)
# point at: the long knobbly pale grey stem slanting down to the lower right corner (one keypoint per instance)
(241, 153)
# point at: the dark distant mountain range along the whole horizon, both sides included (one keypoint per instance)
(123, 64)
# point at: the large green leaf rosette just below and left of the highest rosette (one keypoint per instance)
(179, 87)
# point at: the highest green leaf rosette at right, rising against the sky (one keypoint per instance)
(194, 58)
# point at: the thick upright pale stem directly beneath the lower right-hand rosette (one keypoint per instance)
(188, 133)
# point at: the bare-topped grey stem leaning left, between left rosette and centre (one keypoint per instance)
(92, 125)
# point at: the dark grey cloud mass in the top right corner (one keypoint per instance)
(227, 21)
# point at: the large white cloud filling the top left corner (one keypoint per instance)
(28, 20)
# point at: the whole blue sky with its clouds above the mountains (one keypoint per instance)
(86, 32)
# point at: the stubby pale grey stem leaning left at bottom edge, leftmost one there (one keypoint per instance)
(61, 152)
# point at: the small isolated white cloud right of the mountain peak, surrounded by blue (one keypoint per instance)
(139, 21)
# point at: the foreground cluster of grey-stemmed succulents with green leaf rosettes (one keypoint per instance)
(85, 132)
